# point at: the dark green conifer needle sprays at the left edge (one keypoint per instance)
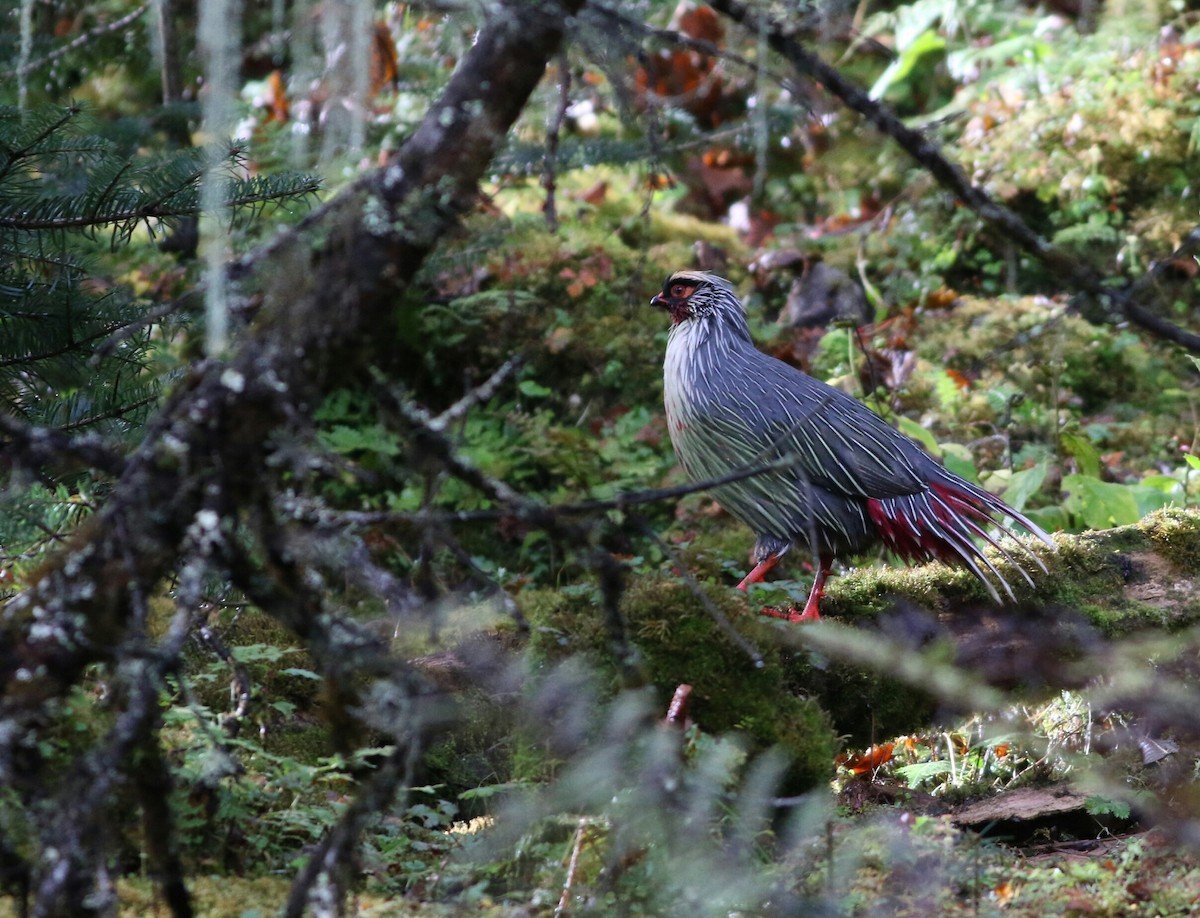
(76, 349)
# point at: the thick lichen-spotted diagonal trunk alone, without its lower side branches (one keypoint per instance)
(329, 302)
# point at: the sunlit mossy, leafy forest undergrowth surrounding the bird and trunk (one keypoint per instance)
(640, 742)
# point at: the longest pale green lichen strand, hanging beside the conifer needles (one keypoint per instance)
(220, 38)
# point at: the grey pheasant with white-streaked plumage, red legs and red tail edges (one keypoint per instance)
(843, 478)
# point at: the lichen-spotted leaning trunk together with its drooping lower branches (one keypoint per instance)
(329, 303)
